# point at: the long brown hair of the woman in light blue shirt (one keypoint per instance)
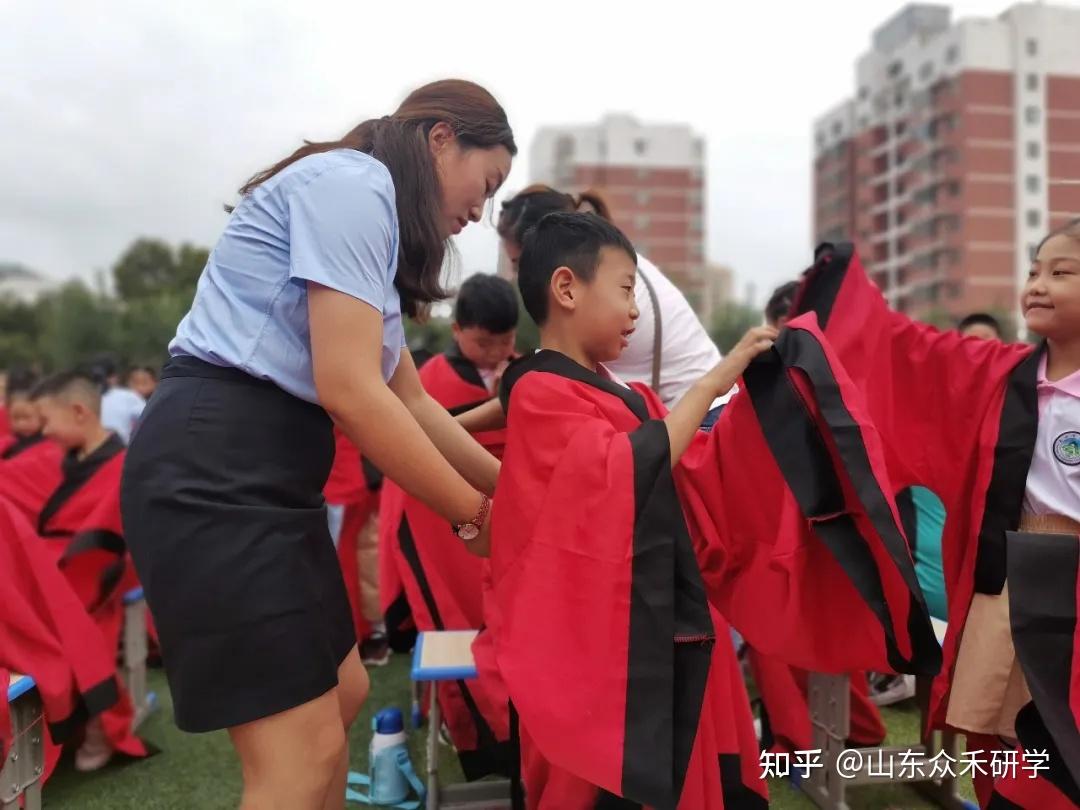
(400, 142)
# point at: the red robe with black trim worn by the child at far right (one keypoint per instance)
(960, 416)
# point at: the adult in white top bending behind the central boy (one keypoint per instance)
(686, 350)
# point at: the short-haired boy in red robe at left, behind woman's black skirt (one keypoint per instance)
(82, 529)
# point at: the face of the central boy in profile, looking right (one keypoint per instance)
(605, 309)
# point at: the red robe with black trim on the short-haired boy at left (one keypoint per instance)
(82, 531)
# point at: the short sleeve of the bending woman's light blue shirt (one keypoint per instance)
(342, 233)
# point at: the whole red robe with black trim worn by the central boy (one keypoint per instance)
(610, 569)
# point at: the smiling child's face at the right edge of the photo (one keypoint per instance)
(1051, 298)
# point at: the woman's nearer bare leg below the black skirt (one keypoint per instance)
(290, 761)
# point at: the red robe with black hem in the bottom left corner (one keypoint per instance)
(47, 633)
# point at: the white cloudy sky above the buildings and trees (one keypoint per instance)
(127, 119)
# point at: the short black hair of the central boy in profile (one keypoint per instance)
(564, 240)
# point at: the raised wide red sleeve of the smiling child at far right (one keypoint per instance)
(928, 391)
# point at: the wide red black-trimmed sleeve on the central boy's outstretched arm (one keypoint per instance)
(799, 533)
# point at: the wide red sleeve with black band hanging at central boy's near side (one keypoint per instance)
(599, 615)
